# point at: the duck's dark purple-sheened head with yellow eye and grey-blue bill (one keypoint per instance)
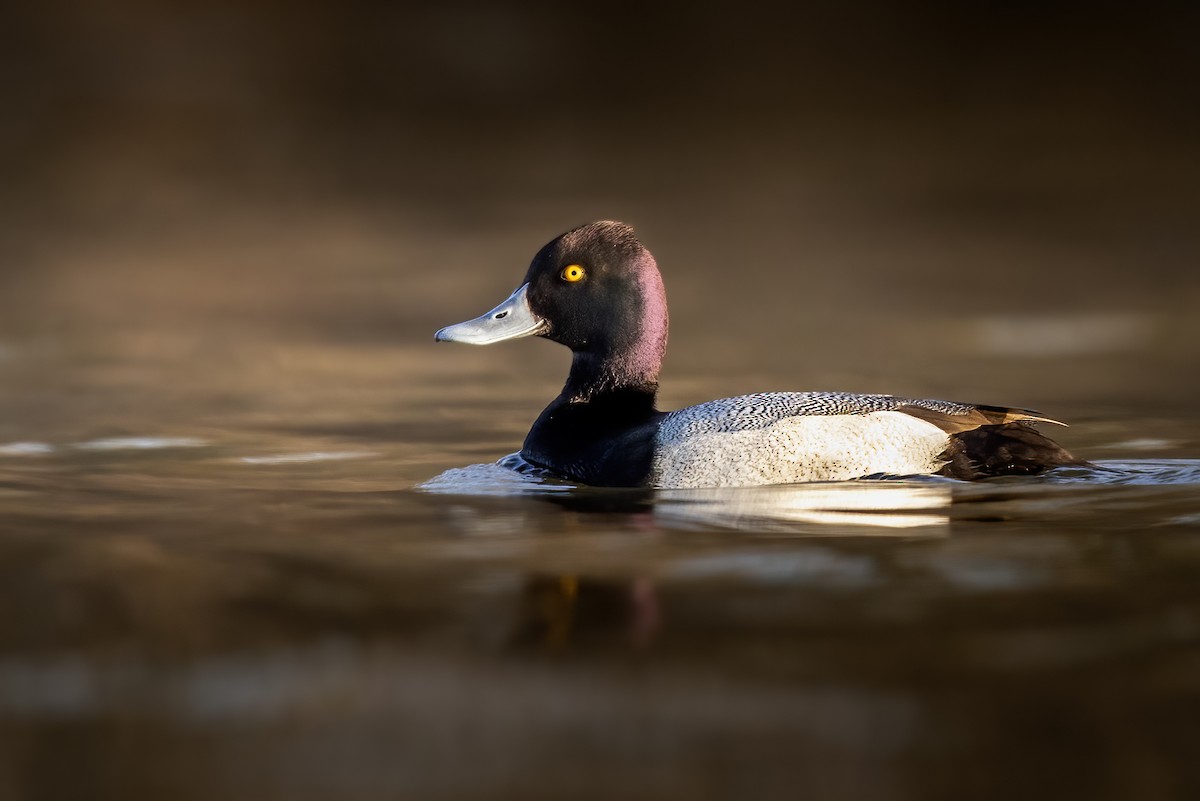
(597, 291)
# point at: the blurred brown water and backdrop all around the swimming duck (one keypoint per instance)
(229, 231)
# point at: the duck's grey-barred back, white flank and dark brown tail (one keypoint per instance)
(794, 437)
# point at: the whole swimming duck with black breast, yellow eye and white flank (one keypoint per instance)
(598, 291)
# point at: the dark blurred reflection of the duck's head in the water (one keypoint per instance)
(562, 612)
